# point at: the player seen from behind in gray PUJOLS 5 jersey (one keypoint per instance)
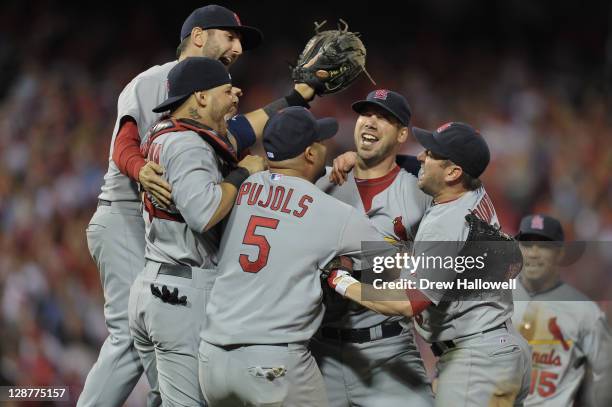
(266, 302)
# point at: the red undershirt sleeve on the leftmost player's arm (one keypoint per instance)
(126, 151)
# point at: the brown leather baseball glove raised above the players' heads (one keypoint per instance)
(331, 60)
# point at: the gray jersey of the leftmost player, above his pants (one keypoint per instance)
(142, 94)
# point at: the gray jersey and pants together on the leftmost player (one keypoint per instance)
(116, 241)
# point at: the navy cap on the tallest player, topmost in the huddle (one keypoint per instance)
(214, 16)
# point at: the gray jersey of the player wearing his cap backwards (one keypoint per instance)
(193, 170)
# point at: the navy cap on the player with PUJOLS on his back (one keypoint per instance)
(290, 131)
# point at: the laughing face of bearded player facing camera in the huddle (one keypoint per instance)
(377, 135)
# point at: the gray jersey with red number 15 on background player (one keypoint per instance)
(567, 333)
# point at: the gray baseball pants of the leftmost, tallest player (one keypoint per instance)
(116, 241)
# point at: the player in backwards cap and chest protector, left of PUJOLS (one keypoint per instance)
(168, 296)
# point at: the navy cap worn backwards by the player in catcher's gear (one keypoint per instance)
(192, 75)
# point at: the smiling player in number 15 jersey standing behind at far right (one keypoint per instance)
(569, 336)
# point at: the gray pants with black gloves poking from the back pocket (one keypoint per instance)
(171, 330)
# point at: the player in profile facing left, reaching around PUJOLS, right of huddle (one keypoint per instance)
(482, 361)
